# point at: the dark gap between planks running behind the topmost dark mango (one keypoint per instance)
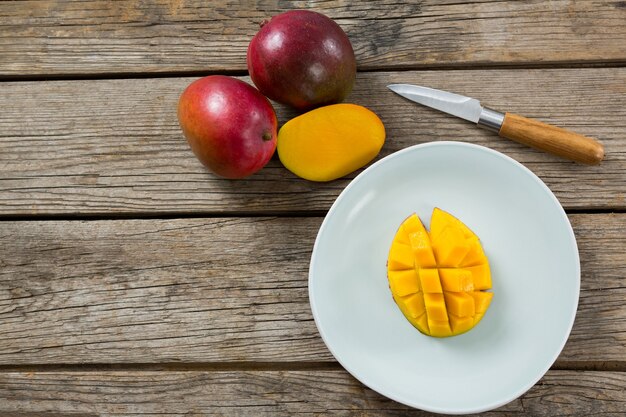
(400, 68)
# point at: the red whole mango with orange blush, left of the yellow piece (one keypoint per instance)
(230, 126)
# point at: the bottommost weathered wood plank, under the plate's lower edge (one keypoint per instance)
(274, 393)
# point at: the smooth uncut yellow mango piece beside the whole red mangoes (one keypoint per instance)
(330, 142)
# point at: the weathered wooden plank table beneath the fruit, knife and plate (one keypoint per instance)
(134, 282)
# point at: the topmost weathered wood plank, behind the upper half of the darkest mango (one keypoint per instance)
(97, 37)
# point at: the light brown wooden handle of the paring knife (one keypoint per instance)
(552, 139)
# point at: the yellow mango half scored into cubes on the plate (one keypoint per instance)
(439, 278)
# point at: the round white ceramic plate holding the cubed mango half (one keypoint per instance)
(535, 270)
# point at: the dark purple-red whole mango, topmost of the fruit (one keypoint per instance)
(303, 59)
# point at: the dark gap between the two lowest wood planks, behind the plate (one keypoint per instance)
(613, 366)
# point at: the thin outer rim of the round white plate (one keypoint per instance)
(407, 401)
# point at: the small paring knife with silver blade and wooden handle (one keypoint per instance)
(530, 132)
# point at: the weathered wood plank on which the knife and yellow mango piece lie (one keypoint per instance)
(114, 146)
